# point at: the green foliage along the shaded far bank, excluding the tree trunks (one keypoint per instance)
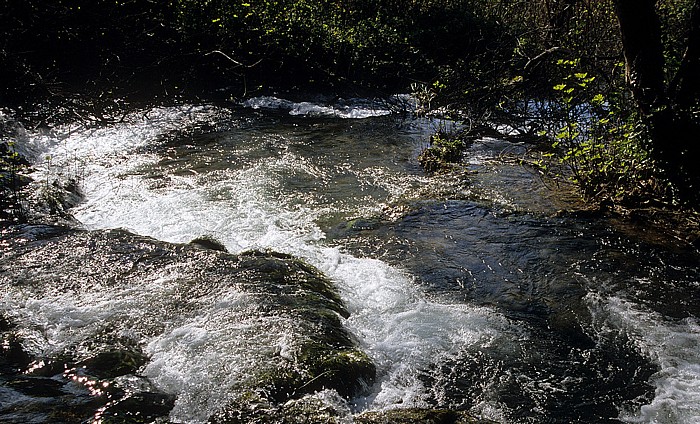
(491, 59)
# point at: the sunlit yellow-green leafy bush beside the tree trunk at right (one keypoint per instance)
(599, 143)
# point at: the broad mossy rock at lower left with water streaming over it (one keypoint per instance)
(204, 327)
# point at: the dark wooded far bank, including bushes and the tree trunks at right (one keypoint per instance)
(92, 60)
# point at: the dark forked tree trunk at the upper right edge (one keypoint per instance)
(673, 133)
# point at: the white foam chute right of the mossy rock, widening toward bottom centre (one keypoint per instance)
(405, 333)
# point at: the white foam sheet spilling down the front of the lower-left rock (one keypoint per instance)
(204, 358)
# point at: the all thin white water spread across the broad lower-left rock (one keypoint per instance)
(201, 358)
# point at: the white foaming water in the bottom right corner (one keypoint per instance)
(673, 345)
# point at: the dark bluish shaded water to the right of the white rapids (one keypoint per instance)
(539, 270)
